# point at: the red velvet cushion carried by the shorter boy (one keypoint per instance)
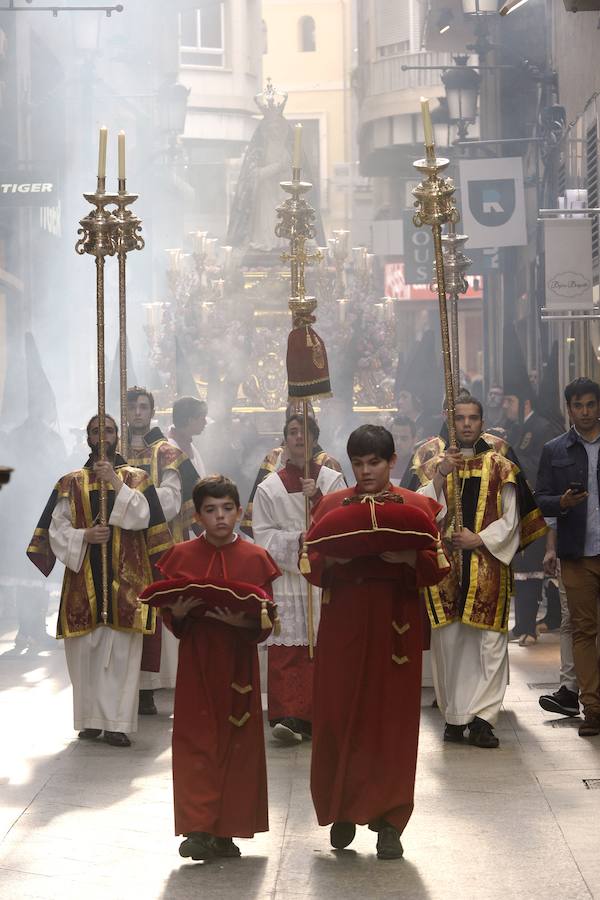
(237, 596)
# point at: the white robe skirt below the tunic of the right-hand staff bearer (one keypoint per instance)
(470, 672)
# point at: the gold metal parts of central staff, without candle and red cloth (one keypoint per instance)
(296, 224)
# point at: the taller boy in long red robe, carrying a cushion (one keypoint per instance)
(367, 682)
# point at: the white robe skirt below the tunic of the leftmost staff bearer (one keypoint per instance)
(104, 668)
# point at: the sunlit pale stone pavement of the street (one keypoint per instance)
(90, 821)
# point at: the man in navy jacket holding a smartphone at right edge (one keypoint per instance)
(568, 489)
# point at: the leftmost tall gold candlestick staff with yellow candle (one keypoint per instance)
(98, 239)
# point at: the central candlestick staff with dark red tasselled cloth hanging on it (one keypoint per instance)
(308, 372)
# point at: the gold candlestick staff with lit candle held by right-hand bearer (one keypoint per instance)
(435, 207)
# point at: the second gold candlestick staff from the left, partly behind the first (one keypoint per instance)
(128, 237)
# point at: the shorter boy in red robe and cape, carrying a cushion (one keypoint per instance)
(219, 769)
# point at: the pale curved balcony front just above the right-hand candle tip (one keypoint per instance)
(382, 76)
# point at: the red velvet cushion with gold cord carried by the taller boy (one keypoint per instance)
(369, 528)
